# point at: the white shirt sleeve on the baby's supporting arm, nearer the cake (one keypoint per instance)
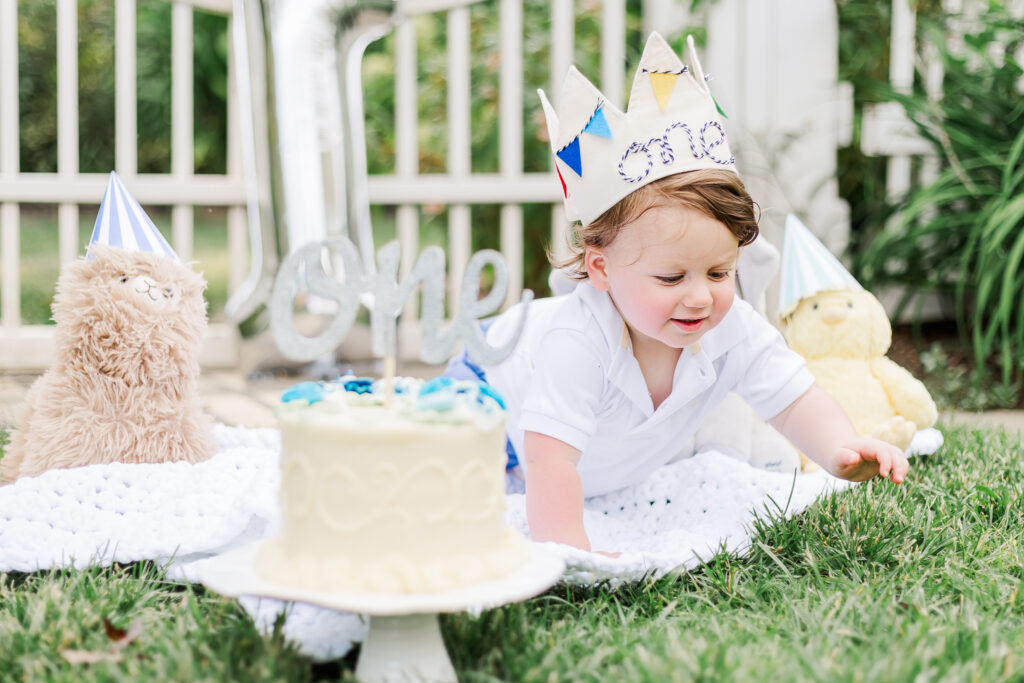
(566, 391)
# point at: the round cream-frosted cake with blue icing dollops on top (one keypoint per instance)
(407, 498)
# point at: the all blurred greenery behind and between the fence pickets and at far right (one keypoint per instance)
(959, 238)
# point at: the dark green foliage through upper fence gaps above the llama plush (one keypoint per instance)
(38, 79)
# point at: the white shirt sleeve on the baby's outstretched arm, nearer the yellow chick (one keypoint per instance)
(776, 375)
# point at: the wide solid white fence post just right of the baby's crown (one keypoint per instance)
(776, 68)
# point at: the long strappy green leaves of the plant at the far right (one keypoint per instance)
(963, 234)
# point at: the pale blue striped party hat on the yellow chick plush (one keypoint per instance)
(808, 268)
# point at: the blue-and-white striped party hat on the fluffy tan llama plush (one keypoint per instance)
(122, 223)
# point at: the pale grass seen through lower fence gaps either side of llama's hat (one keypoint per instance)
(40, 263)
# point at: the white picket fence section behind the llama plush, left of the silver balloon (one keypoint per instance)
(26, 348)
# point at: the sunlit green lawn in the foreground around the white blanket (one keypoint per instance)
(880, 583)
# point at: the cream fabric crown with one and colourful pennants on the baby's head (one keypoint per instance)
(672, 126)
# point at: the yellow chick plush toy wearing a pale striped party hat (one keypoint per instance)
(844, 333)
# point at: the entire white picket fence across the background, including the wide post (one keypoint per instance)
(776, 84)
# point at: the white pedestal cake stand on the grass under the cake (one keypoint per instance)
(404, 639)
